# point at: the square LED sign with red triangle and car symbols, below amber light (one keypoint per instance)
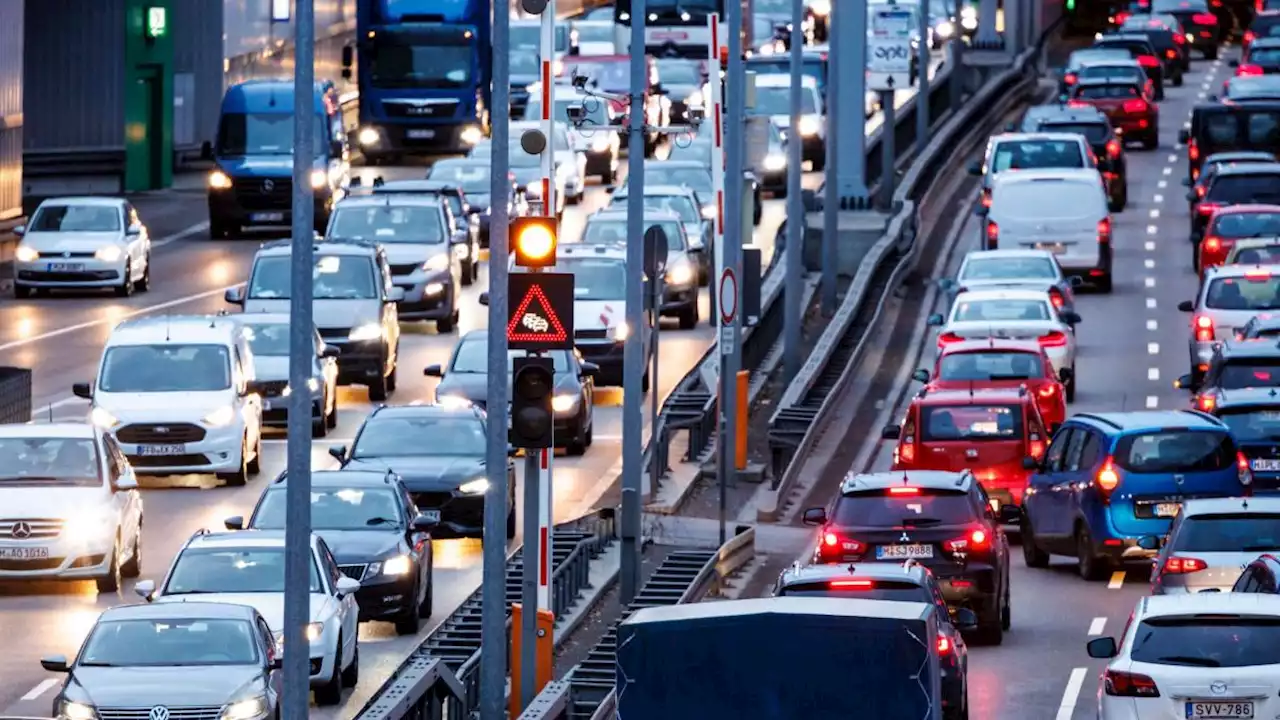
(542, 312)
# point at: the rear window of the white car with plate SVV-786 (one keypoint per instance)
(1201, 641)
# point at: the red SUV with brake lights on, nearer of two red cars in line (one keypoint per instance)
(995, 434)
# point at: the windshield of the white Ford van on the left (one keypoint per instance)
(166, 368)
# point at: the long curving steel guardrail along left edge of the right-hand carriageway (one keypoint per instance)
(808, 399)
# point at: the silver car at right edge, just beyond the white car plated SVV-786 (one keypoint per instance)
(1213, 541)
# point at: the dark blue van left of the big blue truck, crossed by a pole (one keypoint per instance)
(253, 181)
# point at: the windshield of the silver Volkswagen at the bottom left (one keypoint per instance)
(171, 642)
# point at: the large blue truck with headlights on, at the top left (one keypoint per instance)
(424, 71)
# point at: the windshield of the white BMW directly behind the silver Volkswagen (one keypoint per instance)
(235, 571)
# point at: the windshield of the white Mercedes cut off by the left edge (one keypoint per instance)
(49, 462)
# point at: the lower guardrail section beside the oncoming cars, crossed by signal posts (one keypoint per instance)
(441, 680)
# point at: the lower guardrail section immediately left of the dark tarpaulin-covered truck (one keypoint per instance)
(684, 577)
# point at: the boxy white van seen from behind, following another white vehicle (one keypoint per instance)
(1060, 211)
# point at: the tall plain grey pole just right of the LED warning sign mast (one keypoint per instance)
(633, 354)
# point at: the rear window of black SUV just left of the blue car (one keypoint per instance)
(885, 509)
